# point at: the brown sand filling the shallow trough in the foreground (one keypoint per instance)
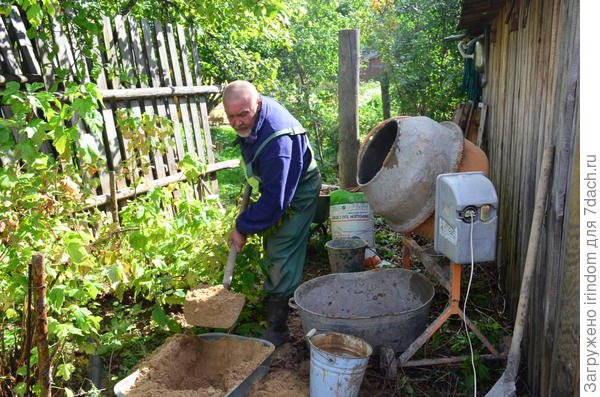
(186, 365)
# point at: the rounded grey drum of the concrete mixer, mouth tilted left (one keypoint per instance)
(398, 164)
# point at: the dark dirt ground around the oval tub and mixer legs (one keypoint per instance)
(291, 361)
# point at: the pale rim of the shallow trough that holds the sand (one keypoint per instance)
(240, 390)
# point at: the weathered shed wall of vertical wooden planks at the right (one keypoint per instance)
(520, 121)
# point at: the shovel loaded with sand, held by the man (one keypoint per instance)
(216, 306)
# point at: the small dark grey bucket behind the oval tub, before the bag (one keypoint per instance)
(346, 254)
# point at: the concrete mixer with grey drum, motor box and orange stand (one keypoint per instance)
(398, 166)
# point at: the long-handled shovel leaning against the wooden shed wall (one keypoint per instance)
(505, 386)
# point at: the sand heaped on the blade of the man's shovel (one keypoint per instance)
(212, 306)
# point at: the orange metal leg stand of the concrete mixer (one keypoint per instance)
(452, 309)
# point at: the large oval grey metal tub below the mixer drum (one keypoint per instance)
(386, 307)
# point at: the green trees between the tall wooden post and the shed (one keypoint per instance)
(425, 72)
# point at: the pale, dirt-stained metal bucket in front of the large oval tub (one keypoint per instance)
(337, 364)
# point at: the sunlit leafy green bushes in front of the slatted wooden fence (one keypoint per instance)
(106, 281)
